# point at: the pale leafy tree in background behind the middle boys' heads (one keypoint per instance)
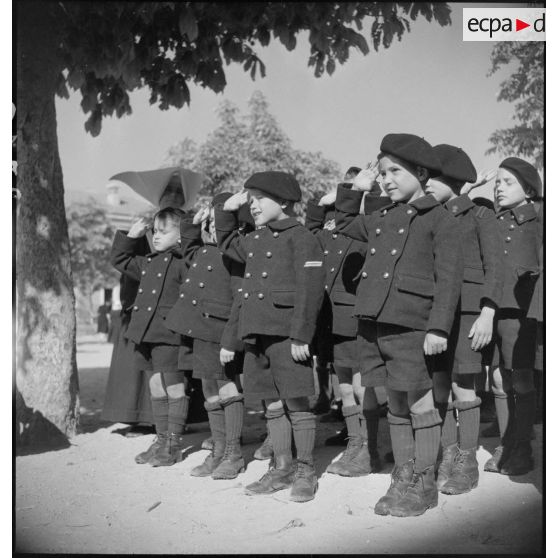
(244, 144)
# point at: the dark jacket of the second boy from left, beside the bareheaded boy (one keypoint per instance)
(204, 303)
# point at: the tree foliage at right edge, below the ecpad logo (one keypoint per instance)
(524, 88)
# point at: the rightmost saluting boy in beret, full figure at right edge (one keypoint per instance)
(517, 184)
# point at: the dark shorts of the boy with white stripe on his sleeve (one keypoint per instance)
(271, 373)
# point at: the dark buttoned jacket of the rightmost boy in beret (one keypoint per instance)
(520, 233)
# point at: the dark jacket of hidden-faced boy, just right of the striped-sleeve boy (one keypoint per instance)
(343, 260)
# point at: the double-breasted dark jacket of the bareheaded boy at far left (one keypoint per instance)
(160, 275)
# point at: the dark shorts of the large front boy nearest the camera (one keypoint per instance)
(392, 356)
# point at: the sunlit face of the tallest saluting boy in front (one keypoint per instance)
(399, 179)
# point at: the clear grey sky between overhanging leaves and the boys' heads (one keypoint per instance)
(431, 83)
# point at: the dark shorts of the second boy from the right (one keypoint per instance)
(459, 358)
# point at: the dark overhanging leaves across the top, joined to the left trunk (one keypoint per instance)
(111, 48)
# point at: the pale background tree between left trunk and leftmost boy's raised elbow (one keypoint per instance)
(91, 235)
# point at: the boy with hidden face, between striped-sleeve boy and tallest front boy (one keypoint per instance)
(343, 259)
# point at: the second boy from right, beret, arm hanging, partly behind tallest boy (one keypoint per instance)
(481, 290)
